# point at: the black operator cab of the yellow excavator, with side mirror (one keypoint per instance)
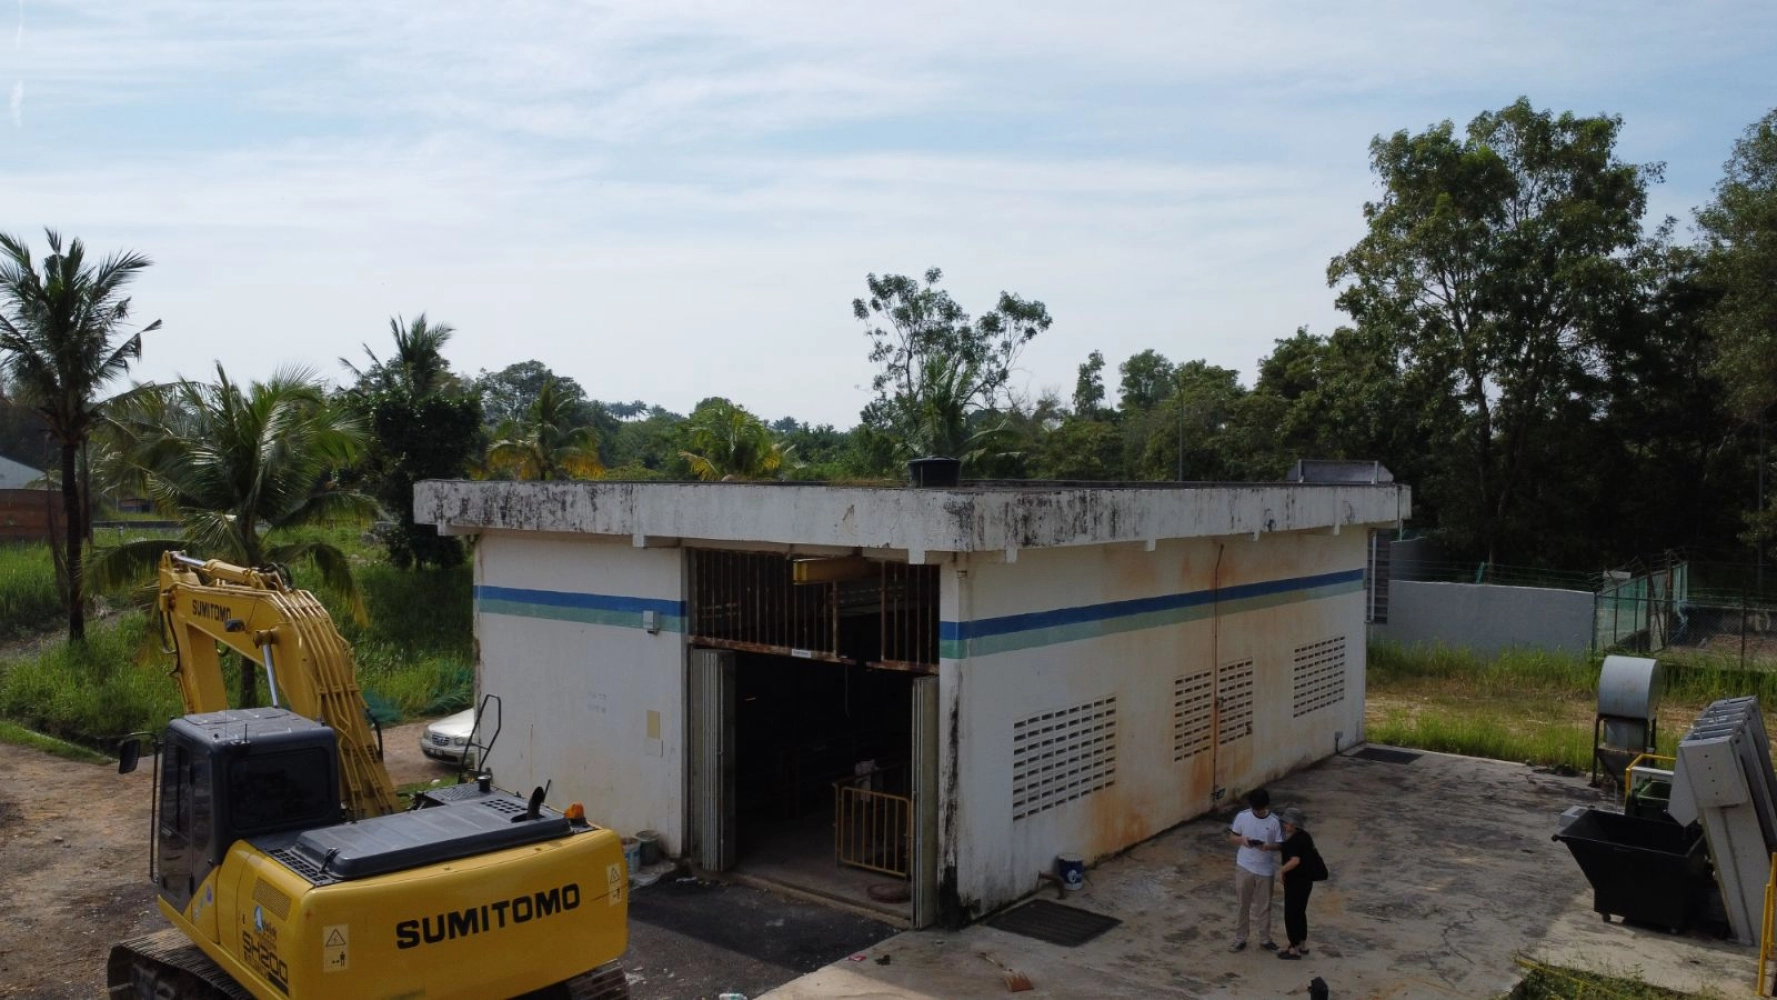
(225, 777)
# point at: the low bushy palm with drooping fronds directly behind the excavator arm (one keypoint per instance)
(239, 468)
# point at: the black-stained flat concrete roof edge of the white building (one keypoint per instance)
(987, 518)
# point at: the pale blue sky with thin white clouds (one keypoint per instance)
(678, 200)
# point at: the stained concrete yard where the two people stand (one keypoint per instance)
(1444, 875)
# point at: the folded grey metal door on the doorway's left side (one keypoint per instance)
(712, 731)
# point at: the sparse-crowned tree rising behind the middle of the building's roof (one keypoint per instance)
(937, 365)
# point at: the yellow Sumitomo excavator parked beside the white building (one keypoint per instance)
(291, 871)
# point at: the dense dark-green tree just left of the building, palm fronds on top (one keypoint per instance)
(426, 425)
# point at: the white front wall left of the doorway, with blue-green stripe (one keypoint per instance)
(593, 701)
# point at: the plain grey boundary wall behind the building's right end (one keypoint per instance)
(1488, 619)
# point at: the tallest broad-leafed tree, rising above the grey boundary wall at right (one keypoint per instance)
(1494, 260)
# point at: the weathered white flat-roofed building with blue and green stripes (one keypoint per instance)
(943, 688)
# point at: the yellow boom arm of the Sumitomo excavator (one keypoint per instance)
(285, 631)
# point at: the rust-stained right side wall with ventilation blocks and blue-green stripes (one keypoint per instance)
(1065, 628)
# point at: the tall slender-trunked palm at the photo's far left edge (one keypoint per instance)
(61, 340)
